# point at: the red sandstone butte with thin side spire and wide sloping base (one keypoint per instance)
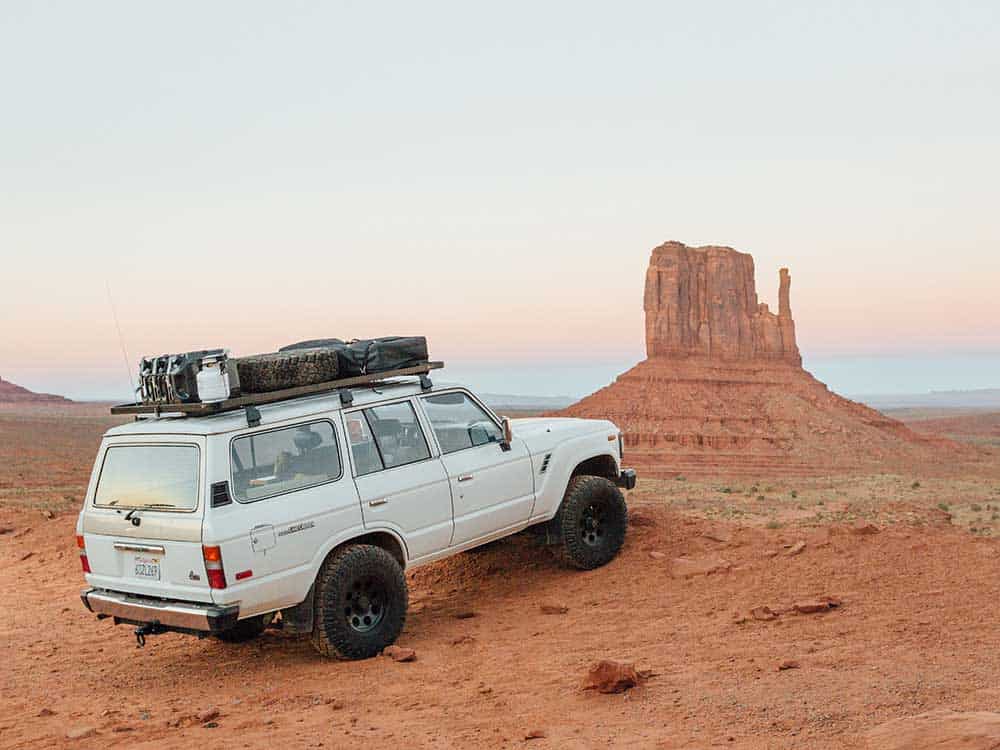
(723, 390)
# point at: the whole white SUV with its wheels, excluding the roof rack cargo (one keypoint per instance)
(313, 507)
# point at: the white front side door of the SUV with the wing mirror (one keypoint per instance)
(493, 489)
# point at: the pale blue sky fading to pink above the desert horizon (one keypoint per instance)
(493, 180)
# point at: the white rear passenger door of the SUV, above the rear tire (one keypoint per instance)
(402, 485)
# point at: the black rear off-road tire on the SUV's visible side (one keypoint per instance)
(339, 630)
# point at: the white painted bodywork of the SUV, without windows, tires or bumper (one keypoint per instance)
(273, 548)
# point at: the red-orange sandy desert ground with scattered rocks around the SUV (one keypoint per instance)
(915, 628)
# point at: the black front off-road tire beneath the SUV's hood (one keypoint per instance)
(591, 522)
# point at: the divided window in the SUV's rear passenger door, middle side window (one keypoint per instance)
(386, 436)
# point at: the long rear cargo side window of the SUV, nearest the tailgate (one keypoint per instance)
(277, 461)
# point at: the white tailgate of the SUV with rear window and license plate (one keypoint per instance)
(143, 517)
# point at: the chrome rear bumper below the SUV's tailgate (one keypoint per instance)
(140, 610)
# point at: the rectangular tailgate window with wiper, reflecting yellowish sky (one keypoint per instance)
(164, 477)
